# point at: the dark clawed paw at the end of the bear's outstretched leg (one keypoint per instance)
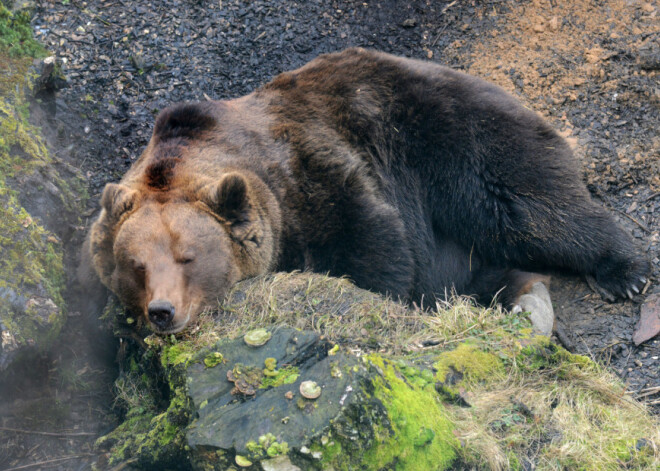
(620, 278)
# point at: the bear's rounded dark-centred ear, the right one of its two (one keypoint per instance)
(229, 198)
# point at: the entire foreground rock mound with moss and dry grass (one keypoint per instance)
(460, 387)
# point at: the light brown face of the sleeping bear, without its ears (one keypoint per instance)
(176, 254)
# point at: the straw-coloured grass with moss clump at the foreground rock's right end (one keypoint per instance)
(573, 410)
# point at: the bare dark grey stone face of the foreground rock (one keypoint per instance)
(225, 424)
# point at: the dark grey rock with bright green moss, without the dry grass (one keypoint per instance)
(368, 416)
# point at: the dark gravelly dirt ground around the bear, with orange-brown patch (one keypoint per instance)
(590, 67)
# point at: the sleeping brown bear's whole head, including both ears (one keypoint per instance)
(171, 257)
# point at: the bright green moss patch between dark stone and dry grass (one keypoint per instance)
(421, 434)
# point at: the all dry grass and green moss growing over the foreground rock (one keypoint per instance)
(530, 401)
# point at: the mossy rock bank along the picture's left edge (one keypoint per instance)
(37, 205)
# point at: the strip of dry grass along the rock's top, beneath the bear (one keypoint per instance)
(337, 309)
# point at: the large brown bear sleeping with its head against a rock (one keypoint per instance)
(408, 177)
